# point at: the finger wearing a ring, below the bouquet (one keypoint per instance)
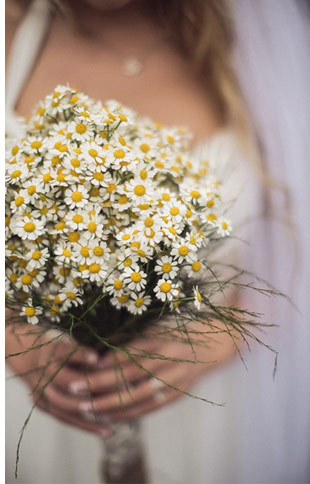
(173, 375)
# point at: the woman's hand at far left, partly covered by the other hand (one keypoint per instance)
(42, 362)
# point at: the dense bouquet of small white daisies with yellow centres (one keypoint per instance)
(106, 214)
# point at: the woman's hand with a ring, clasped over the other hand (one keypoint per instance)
(124, 387)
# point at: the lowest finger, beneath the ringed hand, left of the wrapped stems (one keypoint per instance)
(74, 420)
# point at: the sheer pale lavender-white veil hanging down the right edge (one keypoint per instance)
(273, 64)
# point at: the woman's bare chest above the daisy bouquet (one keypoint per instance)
(165, 90)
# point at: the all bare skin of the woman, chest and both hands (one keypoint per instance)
(90, 61)
